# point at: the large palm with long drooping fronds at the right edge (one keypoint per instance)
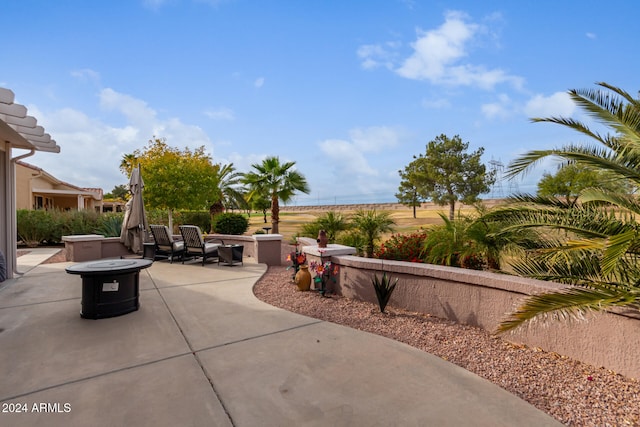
(594, 243)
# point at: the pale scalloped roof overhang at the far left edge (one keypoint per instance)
(19, 128)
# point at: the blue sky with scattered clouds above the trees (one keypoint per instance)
(349, 90)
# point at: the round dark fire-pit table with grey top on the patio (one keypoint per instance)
(109, 287)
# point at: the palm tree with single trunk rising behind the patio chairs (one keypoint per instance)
(279, 181)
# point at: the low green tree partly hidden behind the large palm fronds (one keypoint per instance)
(571, 179)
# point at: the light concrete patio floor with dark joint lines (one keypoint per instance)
(203, 351)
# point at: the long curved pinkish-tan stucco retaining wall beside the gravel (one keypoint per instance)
(608, 339)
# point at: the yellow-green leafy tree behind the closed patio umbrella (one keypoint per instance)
(176, 179)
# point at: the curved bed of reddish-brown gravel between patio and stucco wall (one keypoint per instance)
(573, 392)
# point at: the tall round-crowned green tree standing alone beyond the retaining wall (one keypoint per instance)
(446, 173)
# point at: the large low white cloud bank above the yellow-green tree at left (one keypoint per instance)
(91, 150)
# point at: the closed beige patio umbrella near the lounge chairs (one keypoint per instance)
(135, 224)
